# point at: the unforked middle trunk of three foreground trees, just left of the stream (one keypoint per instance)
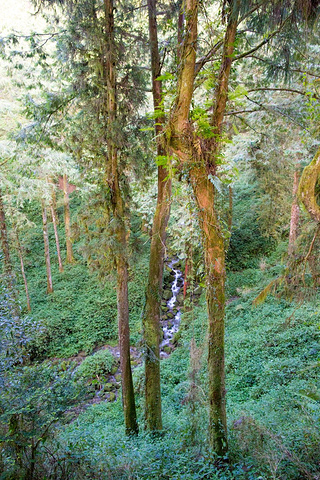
(152, 311)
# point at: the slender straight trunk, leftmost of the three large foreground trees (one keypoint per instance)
(120, 230)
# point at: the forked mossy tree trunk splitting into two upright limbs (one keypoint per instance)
(200, 156)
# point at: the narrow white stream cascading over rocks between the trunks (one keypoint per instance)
(171, 326)
